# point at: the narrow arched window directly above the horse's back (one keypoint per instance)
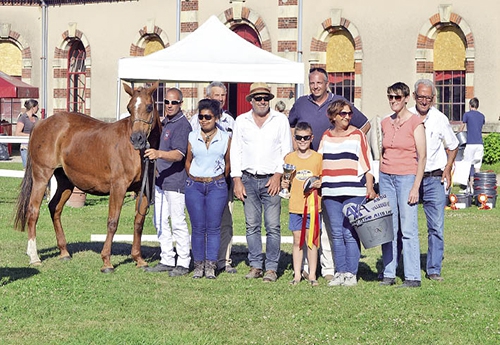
(76, 87)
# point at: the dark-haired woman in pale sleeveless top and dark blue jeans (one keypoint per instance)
(207, 165)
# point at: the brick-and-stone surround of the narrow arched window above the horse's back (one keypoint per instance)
(60, 67)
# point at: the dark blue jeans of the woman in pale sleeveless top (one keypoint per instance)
(205, 203)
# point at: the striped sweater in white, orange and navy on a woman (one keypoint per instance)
(346, 160)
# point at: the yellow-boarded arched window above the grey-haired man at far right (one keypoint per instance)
(449, 71)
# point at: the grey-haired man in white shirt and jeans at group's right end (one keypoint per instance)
(442, 148)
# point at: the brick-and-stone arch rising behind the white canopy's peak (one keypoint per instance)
(244, 15)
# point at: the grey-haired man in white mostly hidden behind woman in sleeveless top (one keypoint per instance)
(217, 90)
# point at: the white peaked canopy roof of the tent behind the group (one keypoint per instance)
(201, 58)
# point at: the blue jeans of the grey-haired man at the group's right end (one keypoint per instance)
(434, 198)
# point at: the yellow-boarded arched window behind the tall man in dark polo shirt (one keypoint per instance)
(340, 63)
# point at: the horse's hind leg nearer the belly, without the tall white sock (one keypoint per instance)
(56, 204)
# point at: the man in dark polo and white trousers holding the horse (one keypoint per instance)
(169, 188)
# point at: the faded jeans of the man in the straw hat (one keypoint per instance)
(258, 199)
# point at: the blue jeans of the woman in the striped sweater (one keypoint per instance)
(346, 247)
